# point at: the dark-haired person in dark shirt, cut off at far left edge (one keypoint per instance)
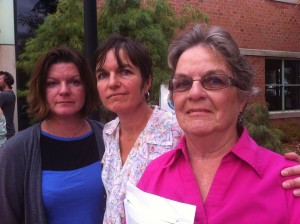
(7, 101)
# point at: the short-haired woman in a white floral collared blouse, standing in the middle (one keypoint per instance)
(141, 132)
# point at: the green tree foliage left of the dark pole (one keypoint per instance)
(65, 26)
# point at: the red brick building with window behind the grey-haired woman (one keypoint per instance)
(268, 33)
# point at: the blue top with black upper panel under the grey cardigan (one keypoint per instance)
(71, 186)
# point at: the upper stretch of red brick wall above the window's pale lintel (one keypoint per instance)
(255, 24)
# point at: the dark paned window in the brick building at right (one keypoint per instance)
(282, 84)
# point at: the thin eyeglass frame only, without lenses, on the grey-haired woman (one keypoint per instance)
(230, 82)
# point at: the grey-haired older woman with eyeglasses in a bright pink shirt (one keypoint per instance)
(227, 176)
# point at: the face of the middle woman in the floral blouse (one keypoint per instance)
(120, 88)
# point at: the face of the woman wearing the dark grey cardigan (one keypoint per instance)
(65, 92)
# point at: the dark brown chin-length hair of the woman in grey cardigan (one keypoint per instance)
(38, 106)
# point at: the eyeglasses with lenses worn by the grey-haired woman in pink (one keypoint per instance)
(208, 82)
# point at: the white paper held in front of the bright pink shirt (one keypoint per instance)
(145, 208)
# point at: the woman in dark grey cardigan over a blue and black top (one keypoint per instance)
(51, 172)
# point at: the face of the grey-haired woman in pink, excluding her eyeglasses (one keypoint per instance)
(200, 111)
